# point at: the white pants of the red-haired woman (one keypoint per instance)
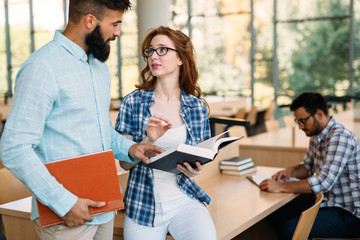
(183, 218)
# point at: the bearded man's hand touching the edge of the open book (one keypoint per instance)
(143, 151)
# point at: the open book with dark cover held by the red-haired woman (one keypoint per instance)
(203, 152)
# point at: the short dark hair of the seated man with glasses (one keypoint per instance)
(311, 101)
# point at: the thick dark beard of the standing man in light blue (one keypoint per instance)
(97, 45)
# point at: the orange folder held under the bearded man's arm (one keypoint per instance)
(91, 176)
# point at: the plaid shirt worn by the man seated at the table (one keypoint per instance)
(334, 157)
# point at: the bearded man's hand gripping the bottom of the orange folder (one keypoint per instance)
(79, 213)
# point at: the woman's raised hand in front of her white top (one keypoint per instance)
(157, 127)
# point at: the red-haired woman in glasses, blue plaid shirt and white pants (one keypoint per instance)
(166, 110)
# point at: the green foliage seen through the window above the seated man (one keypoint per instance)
(321, 61)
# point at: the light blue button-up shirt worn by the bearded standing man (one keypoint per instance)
(60, 109)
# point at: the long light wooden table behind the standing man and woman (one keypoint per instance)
(237, 204)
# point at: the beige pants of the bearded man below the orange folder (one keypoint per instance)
(83, 232)
